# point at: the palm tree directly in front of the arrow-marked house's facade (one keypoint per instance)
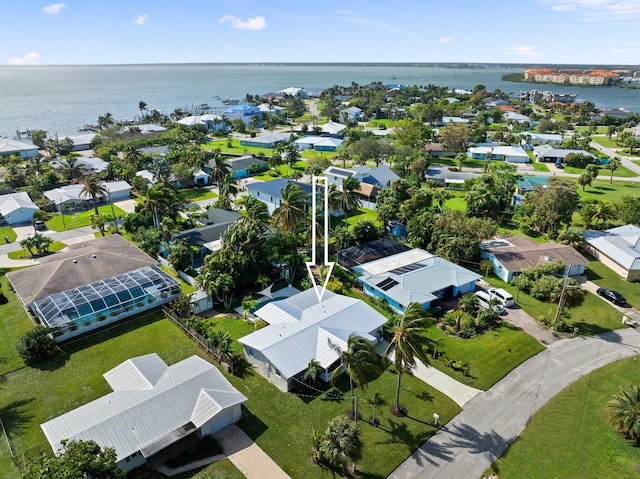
(358, 359)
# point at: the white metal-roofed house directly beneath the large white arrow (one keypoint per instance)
(301, 329)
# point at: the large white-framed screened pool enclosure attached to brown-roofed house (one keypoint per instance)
(102, 302)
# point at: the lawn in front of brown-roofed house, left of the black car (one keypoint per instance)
(591, 317)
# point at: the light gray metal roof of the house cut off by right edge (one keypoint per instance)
(621, 244)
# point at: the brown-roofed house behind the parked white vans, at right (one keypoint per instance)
(510, 255)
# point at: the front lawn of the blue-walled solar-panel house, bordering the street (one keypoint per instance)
(491, 355)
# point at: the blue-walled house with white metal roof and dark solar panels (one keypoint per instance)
(414, 276)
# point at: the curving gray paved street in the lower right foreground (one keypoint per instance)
(469, 444)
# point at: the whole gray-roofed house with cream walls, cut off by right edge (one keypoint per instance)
(618, 248)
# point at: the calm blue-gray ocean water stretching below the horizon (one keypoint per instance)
(61, 99)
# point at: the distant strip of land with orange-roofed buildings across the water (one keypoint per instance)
(575, 76)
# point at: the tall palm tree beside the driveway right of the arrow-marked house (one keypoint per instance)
(408, 345)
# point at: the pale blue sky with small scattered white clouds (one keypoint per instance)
(178, 31)
